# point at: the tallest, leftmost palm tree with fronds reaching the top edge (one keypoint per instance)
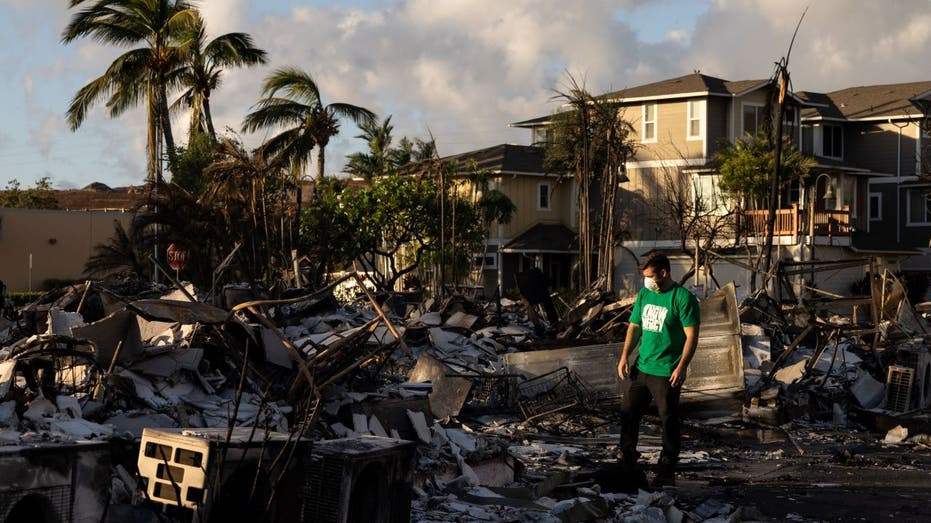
(145, 73)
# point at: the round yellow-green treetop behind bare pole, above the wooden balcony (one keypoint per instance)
(748, 164)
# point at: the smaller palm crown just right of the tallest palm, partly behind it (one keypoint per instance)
(204, 64)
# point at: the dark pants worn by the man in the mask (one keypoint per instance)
(643, 388)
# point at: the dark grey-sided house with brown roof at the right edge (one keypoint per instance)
(880, 131)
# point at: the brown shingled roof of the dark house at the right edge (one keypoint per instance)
(868, 102)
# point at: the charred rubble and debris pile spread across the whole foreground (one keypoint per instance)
(511, 411)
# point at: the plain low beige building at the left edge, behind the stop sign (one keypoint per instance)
(39, 245)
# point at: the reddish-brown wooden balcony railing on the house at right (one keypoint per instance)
(795, 222)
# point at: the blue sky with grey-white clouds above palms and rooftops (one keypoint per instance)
(459, 69)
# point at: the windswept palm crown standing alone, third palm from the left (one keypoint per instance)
(308, 122)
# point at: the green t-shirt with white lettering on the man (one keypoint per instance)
(661, 317)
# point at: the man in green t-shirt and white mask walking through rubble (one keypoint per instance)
(665, 319)
